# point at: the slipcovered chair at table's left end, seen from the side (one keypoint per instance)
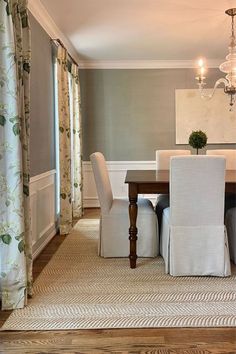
(114, 219)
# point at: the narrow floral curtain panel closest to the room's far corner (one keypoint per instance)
(77, 144)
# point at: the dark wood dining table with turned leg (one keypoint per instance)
(154, 182)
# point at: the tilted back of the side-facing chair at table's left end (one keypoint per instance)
(102, 181)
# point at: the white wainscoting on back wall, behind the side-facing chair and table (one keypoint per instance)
(117, 172)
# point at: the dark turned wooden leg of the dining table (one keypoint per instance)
(133, 212)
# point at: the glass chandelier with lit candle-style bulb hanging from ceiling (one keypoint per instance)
(228, 67)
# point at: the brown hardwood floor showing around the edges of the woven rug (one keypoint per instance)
(159, 341)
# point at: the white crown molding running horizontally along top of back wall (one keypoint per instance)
(145, 64)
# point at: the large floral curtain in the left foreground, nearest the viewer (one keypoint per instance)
(15, 237)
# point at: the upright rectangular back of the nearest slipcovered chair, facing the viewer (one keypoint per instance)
(197, 187)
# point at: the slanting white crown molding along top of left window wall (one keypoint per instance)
(45, 20)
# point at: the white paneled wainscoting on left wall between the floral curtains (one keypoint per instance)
(42, 203)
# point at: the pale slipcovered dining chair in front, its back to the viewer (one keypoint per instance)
(193, 236)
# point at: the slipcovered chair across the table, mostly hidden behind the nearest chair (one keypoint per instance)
(163, 163)
